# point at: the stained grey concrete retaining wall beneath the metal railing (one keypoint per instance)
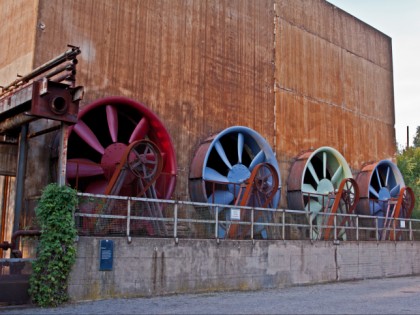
(148, 267)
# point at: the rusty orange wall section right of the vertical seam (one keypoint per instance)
(333, 84)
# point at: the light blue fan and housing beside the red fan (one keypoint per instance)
(225, 161)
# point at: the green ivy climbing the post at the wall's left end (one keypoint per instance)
(56, 251)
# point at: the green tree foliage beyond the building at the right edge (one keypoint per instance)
(408, 163)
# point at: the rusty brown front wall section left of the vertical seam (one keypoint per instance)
(201, 66)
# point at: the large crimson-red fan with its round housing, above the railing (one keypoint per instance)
(97, 142)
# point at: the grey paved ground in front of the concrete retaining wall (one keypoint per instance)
(378, 296)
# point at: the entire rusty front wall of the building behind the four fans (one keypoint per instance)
(301, 73)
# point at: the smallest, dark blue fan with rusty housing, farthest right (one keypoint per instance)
(378, 182)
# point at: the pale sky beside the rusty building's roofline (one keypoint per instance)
(400, 20)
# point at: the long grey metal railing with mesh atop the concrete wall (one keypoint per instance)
(101, 215)
